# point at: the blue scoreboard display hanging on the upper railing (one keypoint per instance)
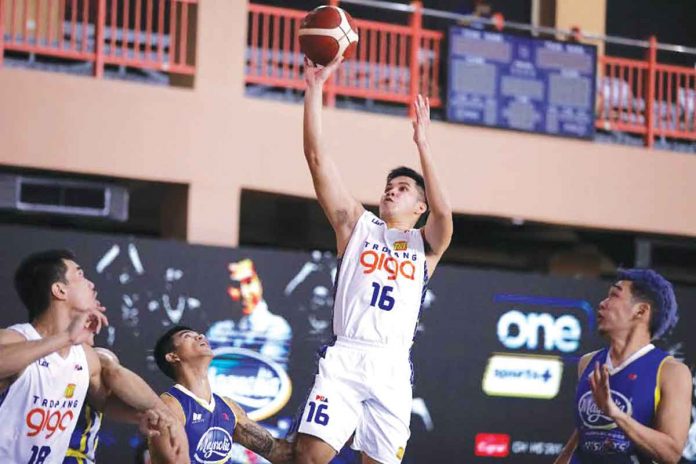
(521, 83)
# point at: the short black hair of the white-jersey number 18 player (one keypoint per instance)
(36, 274)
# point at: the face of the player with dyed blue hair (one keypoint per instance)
(617, 312)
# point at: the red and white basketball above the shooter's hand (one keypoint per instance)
(327, 32)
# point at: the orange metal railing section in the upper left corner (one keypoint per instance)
(146, 34)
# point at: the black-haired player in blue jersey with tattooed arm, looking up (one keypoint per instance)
(212, 423)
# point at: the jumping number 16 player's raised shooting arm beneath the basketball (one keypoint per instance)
(341, 209)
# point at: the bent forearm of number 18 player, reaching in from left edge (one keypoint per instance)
(15, 357)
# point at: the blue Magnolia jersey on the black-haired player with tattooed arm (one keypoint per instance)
(209, 426)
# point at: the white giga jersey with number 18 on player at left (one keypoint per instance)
(39, 410)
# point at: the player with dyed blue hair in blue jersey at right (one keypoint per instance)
(633, 400)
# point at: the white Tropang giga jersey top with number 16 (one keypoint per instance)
(380, 284)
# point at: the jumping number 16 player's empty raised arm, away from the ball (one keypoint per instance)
(439, 226)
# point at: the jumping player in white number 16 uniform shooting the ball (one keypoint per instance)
(363, 385)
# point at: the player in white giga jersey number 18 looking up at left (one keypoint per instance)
(46, 367)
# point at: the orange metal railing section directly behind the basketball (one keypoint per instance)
(393, 63)
